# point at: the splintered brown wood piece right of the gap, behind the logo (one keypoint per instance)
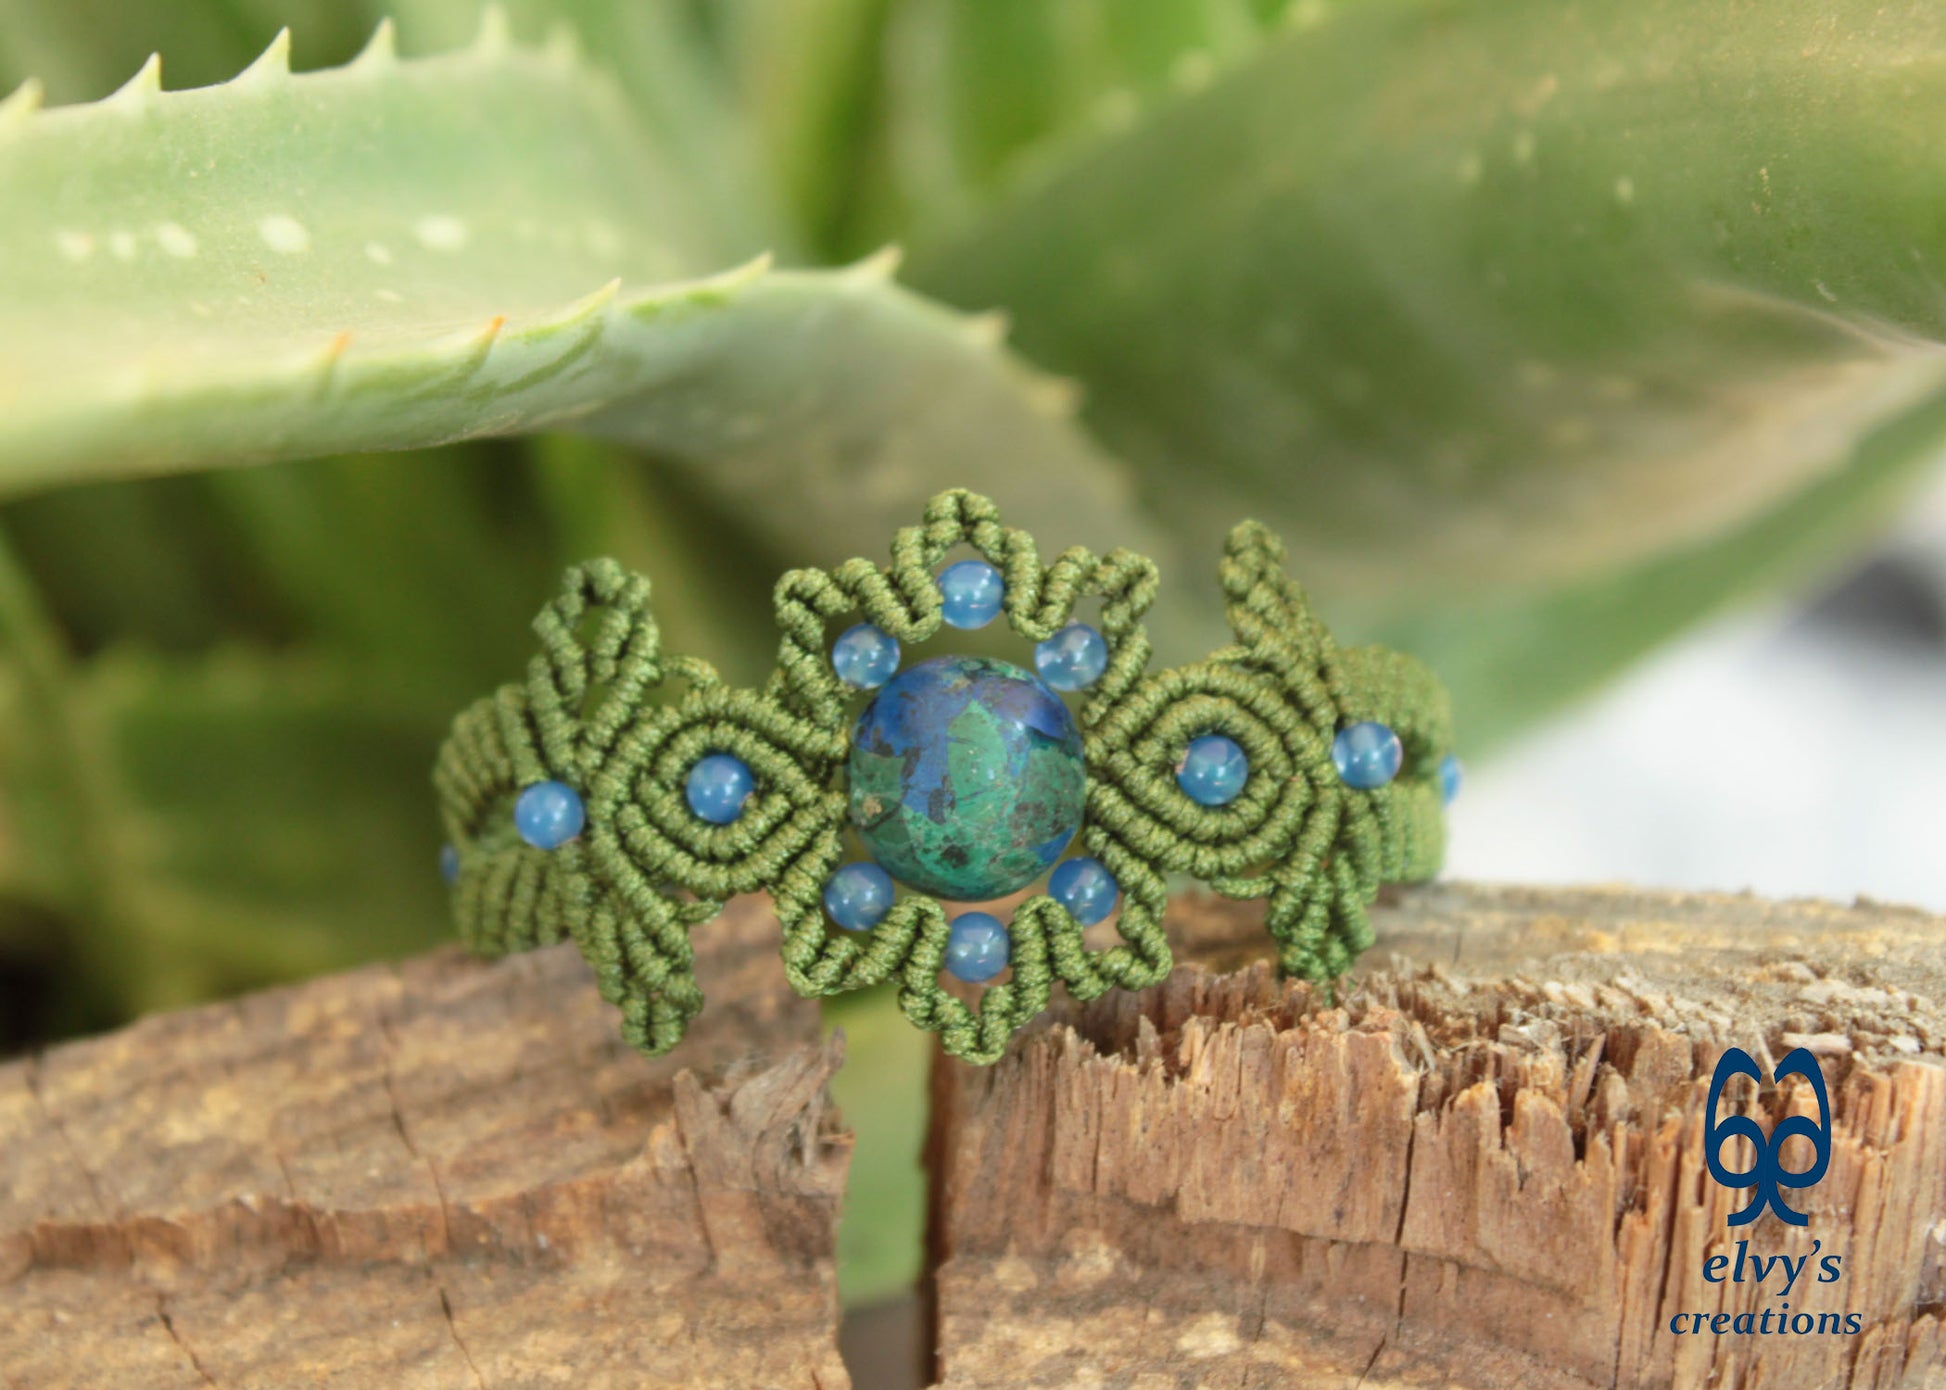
(1482, 1167)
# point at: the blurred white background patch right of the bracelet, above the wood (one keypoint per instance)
(1789, 750)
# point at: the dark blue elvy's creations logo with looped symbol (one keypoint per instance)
(1768, 1179)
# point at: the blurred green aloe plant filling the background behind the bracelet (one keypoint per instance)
(1540, 328)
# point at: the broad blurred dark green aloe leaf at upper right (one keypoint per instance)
(1476, 301)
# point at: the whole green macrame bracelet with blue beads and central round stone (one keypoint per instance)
(620, 795)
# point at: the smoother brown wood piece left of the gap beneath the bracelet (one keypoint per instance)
(437, 1175)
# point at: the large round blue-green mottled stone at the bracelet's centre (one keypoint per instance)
(966, 778)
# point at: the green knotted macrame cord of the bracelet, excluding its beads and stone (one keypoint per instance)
(606, 713)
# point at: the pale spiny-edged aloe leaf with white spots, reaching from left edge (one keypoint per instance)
(472, 246)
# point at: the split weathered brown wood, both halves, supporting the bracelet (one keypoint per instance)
(1482, 1165)
